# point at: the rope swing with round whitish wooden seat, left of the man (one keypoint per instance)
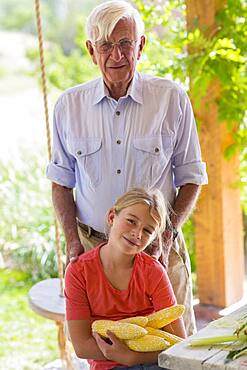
(46, 298)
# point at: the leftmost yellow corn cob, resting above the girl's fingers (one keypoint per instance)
(122, 330)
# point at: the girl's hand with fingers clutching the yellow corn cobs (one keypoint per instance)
(117, 351)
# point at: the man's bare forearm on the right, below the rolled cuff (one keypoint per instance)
(184, 204)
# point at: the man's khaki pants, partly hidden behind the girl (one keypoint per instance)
(179, 272)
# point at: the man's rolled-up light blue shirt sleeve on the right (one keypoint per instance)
(188, 166)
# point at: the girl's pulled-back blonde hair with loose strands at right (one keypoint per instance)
(157, 207)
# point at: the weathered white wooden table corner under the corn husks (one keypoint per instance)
(183, 357)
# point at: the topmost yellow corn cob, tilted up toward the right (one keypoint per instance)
(164, 317)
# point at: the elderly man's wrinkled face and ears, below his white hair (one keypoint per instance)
(118, 66)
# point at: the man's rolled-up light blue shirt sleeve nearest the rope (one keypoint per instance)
(61, 168)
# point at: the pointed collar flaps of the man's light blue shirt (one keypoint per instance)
(134, 90)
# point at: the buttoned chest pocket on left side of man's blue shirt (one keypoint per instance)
(88, 154)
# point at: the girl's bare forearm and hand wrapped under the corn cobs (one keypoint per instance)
(119, 352)
